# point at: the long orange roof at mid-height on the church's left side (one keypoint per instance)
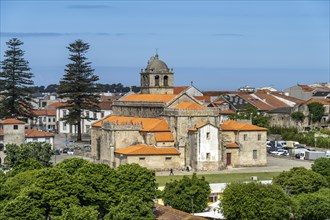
(148, 124)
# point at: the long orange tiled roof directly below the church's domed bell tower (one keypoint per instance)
(149, 97)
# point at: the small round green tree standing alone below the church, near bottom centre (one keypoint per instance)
(188, 195)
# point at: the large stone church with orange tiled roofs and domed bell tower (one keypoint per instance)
(163, 130)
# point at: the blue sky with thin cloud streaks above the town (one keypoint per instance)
(219, 45)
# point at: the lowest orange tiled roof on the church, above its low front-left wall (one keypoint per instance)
(147, 150)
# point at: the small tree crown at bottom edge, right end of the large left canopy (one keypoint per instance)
(130, 207)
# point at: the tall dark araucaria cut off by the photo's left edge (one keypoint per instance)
(14, 81)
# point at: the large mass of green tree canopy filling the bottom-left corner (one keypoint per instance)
(78, 189)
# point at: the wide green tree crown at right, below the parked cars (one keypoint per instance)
(300, 180)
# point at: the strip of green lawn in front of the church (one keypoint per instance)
(221, 178)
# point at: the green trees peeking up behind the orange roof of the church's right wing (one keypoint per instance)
(251, 112)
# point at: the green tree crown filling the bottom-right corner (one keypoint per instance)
(313, 205)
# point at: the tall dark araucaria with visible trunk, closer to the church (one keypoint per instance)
(78, 86)
